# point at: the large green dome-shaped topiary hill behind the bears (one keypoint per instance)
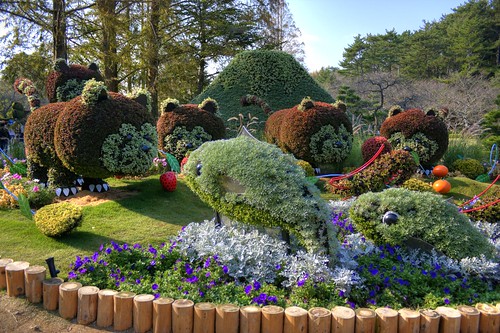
(273, 76)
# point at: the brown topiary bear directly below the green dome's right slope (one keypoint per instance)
(317, 132)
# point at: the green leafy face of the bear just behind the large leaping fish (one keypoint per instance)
(181, 141)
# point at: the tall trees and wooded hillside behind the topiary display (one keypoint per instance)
(176, 48)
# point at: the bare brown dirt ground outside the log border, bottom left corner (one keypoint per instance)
(17, 315)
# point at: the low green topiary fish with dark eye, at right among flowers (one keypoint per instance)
(422, 216)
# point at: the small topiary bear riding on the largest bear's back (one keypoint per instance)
(67, 81)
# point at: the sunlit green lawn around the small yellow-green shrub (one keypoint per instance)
(150, 216)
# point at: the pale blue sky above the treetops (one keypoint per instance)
(329, 26)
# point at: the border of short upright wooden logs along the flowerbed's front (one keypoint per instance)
(121, 311)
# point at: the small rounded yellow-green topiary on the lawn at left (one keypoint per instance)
(58, 219)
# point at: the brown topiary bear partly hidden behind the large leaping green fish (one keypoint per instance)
(182, 128)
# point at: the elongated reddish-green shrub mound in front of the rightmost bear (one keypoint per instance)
(389, 169)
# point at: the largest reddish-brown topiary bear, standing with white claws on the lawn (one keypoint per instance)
(95, 135)
